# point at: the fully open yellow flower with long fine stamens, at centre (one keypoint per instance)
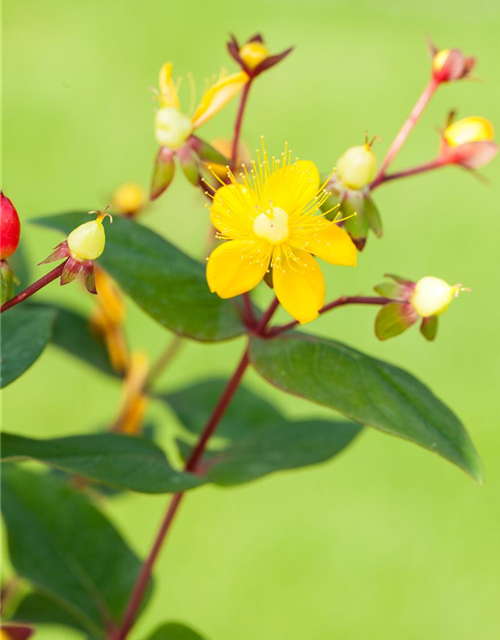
(272, 221)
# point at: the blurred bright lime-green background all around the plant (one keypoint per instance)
(390, 541)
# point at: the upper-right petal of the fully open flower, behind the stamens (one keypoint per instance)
(292, 187)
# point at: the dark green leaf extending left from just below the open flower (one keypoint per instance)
(163, 281)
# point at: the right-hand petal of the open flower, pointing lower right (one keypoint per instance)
(332, 244)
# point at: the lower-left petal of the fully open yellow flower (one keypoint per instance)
(237, 266)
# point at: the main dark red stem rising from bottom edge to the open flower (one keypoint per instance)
(191, 464)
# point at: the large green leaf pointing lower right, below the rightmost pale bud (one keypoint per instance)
(364, 389)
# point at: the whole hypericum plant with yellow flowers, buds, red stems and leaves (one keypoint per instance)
(272, 217)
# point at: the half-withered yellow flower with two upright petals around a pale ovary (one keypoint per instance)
(173, 127)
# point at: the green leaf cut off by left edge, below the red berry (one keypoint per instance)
(25, 332)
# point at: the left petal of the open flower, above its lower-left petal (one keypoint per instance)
(233, 211)
